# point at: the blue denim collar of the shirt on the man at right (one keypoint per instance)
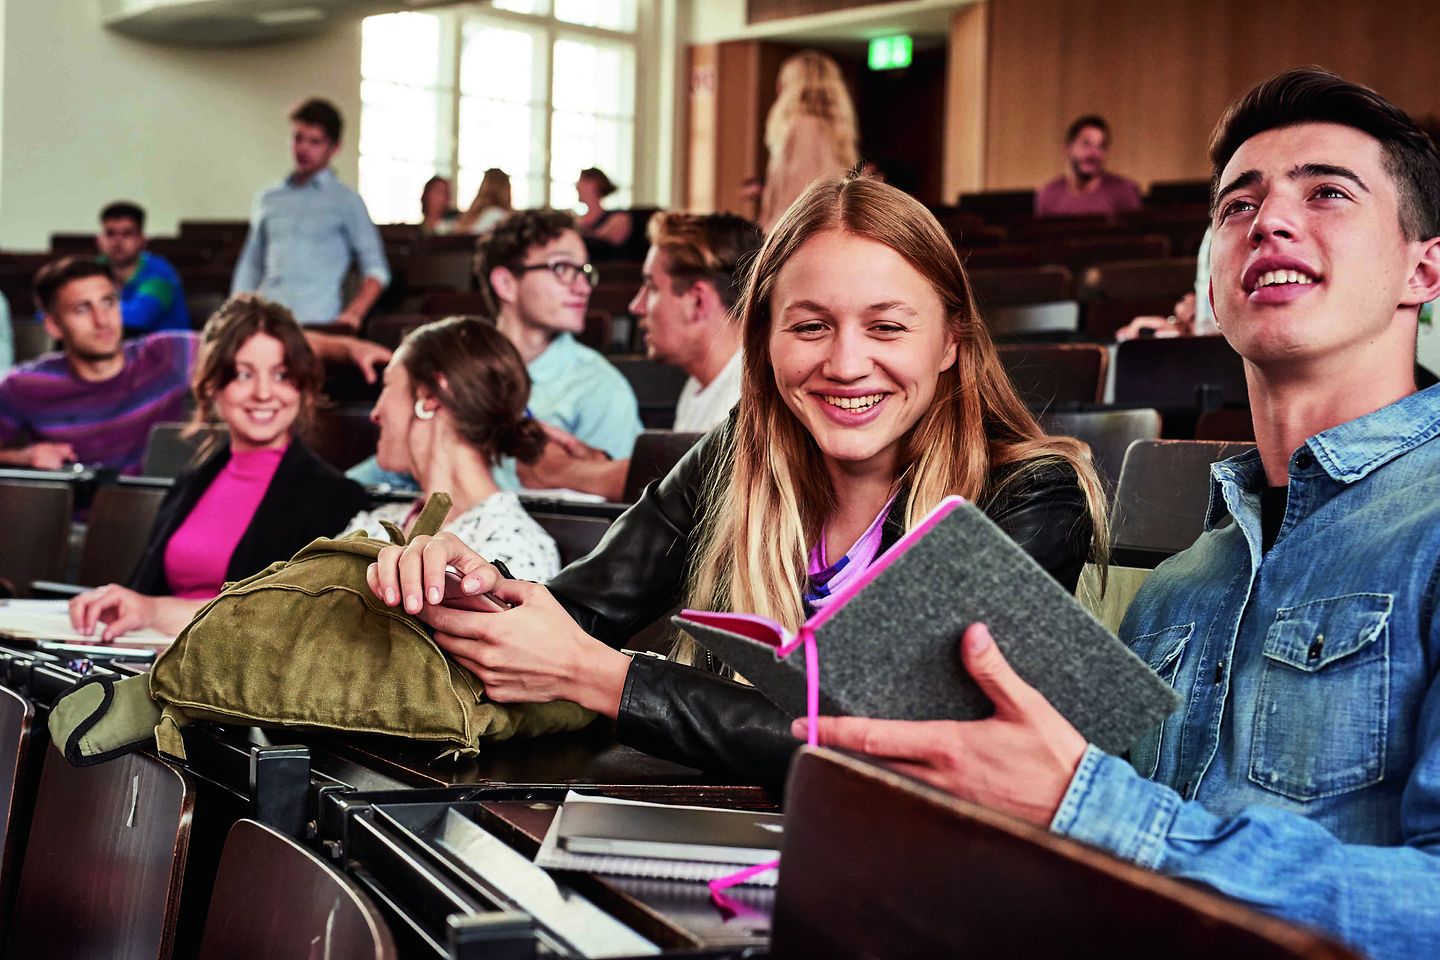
(1347, 453)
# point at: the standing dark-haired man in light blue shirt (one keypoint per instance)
(309, 230)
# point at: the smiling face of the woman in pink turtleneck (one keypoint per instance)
(261, 404)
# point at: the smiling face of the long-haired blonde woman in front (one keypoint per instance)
(858, 343)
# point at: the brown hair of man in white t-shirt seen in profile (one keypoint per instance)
(706, 247)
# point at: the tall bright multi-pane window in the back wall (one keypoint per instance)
(538, 89)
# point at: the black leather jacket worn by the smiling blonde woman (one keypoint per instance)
(639, 575)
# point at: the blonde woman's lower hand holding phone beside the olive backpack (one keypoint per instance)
(534, 653)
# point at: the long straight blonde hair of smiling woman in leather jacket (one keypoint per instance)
(770, 494)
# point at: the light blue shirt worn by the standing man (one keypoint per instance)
(302, 243)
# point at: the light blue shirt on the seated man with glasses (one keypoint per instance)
(581, 392)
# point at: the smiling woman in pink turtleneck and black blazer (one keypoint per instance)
(256, 500)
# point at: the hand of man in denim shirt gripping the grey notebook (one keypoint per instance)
(1020, 761)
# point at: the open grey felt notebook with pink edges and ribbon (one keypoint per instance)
(889, 641)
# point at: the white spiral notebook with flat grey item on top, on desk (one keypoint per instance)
(683, 843)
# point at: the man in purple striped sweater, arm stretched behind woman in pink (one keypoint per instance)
(97, 398)
